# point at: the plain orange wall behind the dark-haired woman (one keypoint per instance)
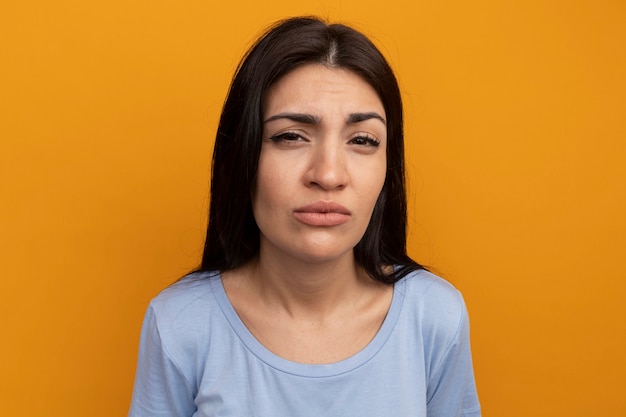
(516, 133)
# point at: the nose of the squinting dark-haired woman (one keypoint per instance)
(327, 166)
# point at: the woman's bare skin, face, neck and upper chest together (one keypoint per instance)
(321, 168)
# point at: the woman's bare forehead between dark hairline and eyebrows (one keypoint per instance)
(316, 88)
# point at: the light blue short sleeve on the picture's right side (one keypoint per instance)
(451, 390)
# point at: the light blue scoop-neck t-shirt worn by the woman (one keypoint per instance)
(197, 358)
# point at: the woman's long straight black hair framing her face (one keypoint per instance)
(232, 236)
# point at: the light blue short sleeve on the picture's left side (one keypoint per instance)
(160, 390)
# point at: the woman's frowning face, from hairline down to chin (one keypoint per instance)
(322, 164)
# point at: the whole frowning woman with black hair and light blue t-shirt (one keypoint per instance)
(306, 303)
